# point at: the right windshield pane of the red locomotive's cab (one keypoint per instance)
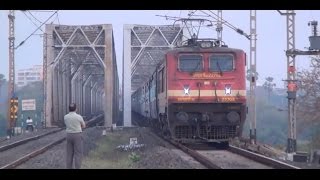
(221, 63)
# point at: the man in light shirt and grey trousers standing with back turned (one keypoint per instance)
(74, 125)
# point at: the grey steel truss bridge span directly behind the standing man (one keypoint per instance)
(76, 58)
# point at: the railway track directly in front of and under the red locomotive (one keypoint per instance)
(230, 158)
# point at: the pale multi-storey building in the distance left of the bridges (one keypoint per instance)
(25, 76)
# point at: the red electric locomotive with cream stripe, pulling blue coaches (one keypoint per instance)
(197, 94)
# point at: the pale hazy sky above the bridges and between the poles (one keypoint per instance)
(271, 30)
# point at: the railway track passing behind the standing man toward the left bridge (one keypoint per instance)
(27, 150)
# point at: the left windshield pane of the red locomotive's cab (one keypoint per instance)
(190, 63)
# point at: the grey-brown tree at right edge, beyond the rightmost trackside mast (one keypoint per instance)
(308, 100)
